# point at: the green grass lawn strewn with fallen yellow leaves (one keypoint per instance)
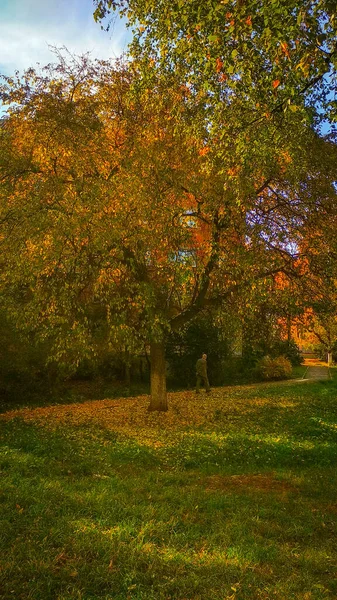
(230, 496)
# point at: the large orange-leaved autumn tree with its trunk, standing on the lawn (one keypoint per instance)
(116, 209)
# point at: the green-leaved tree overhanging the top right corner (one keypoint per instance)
(255, 68)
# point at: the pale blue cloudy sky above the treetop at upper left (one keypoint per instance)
(29, 27)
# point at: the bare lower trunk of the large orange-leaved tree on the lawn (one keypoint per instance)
(158, 377)
